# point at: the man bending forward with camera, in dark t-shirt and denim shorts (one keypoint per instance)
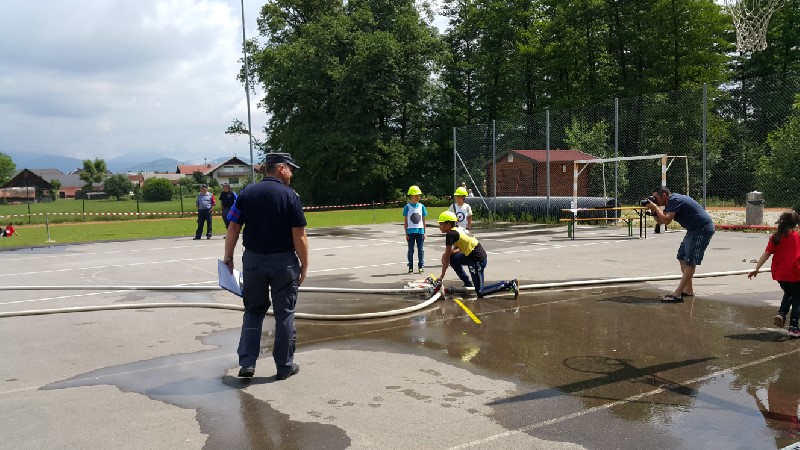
(699, 230)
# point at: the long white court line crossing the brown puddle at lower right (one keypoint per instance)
(632, 398)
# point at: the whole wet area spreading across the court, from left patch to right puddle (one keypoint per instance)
(568, 352)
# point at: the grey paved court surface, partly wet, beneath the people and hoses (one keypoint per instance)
(598, 367)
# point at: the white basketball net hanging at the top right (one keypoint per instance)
(751, 18)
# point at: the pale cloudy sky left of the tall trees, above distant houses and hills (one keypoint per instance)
(105, 78)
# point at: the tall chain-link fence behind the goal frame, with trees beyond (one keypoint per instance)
(721, 142)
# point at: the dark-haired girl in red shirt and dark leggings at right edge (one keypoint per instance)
(785, 245)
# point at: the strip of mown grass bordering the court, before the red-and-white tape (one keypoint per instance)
(36, 235)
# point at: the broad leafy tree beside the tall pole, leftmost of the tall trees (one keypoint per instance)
(346, 87)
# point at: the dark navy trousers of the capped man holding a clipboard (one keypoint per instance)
(269, 275)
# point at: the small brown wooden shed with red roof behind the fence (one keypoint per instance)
(524, 173)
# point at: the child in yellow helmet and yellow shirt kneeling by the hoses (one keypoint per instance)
(462, 249)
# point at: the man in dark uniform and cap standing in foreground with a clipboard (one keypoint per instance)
(275, 259)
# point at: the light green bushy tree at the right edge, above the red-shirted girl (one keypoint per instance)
(777, 173)
